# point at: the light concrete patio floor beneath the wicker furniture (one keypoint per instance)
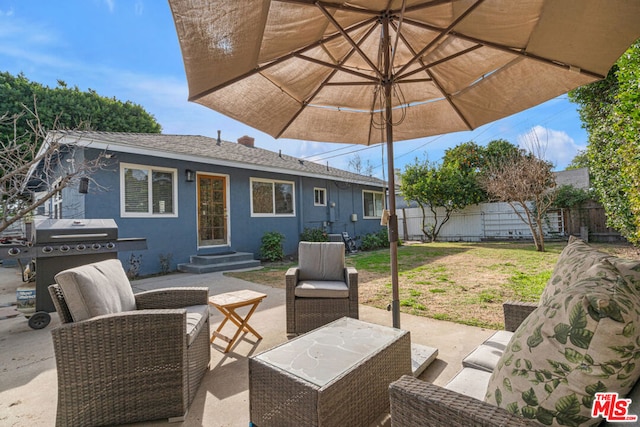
(28, 385)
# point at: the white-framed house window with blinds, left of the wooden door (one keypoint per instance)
(147, 191)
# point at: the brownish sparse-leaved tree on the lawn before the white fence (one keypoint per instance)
(524, 181)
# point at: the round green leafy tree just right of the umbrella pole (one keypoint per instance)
(446, 185)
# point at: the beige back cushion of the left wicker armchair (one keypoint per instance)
(96, 289)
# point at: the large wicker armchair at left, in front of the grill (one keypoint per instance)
(140, 363)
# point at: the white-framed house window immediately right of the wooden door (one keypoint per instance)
(272, 198)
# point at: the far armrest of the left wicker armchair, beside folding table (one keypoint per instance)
(168, 298)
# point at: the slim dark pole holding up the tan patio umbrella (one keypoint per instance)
(393, 218)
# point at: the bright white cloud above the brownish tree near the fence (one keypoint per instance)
(557, 146)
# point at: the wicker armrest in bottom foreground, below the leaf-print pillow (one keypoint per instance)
(419, 403)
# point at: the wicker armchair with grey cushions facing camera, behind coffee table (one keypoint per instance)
(321, 289)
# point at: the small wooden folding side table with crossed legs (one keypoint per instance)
(227, 304)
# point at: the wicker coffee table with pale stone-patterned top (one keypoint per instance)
(336, 375)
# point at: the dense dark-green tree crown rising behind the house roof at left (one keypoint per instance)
(67, 108)
